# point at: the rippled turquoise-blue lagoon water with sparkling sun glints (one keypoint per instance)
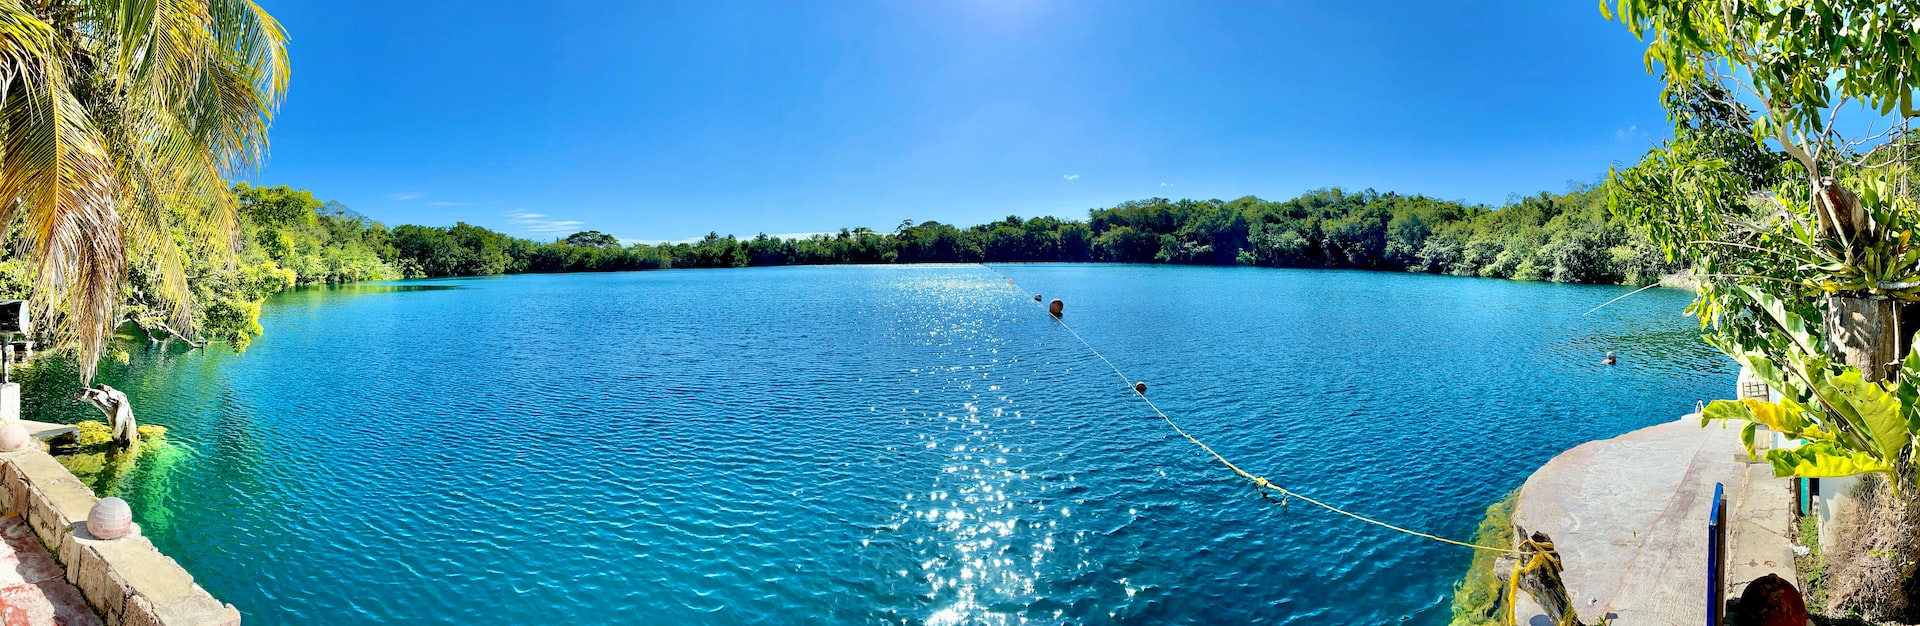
(880, 445)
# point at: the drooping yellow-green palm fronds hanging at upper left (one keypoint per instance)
(120, 126)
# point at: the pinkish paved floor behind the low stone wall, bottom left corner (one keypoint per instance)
(34, 587)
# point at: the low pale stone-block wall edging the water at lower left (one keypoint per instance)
(126, 581)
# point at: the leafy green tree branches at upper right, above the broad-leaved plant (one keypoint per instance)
(1823, 212)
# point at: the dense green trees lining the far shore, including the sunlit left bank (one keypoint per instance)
(289, 237)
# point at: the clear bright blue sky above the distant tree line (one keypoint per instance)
(663, 122)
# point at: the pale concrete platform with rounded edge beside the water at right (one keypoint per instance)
(1629, 518)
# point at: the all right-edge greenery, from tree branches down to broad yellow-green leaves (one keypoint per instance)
(1775, 229)
